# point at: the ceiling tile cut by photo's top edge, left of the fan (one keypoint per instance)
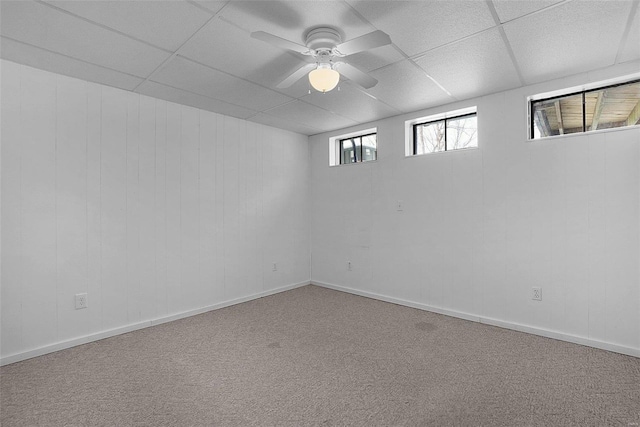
(165, 24)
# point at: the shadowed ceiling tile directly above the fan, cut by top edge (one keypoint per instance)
(292, 19)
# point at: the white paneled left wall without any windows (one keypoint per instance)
(152, 208)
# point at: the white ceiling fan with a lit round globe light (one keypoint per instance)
(324, 44)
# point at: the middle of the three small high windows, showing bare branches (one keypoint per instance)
(454, 130)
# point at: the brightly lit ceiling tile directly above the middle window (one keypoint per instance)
(474, 67)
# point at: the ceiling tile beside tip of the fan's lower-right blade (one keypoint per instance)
(406, 87)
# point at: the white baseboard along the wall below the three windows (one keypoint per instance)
(630, 351)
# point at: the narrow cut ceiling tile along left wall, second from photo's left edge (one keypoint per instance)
(167, 93)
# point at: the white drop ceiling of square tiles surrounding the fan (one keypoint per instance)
(199, 53)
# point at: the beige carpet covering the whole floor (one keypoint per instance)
(313, 356)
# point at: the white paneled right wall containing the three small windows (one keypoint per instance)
(479, 228)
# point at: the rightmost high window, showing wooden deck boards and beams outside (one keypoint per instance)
(597, 108)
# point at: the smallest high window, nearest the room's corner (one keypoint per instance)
(354, 148)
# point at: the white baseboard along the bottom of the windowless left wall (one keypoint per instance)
(17, 357)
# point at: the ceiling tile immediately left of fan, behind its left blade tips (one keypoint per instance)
(245, 57)
